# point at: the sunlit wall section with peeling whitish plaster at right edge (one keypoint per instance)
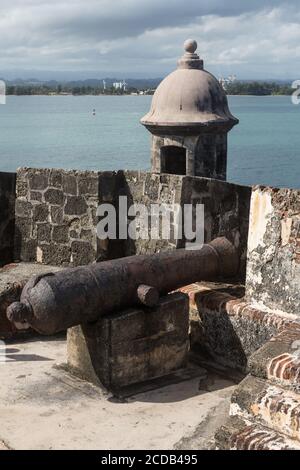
(273, 268)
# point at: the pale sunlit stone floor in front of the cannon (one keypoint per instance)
(43, 407)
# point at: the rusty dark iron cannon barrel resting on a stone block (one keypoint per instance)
(54, 302)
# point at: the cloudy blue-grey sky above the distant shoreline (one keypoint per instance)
(143, 38)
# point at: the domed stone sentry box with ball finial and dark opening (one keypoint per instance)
(189, 121)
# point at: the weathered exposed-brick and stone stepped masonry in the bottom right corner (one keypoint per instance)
(265, 407)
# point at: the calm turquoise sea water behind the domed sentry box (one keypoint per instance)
(61, 132)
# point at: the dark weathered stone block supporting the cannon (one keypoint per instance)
(132, 346)
